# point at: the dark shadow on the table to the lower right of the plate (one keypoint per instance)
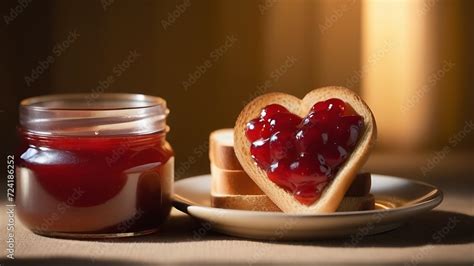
(432, 228)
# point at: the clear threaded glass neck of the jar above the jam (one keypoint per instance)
(88, 114)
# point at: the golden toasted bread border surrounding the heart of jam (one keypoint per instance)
(333, 194)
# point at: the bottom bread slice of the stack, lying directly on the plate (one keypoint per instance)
(263, 203)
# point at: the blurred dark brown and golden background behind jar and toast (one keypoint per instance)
(412, 61)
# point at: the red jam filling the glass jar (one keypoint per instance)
(99, 185)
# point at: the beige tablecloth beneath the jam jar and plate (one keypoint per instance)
(412, 244)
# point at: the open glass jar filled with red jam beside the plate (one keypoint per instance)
(94, 166)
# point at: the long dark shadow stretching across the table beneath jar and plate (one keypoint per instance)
(435, 227)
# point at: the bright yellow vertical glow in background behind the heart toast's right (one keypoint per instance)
(397, 64)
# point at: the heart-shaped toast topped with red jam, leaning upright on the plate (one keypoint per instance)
(318, 170)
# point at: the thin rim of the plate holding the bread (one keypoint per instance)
(430, 203)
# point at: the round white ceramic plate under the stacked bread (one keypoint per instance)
(397, 200)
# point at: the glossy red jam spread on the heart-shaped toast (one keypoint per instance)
(302, 155)
